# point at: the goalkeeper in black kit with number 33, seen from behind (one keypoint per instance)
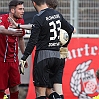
(45, 36)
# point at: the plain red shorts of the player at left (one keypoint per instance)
(9, 74)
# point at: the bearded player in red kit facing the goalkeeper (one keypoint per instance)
(9, 71)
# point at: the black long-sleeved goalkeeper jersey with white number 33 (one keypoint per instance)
(46, 29)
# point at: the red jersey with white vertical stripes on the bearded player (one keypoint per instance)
(8, 44)
